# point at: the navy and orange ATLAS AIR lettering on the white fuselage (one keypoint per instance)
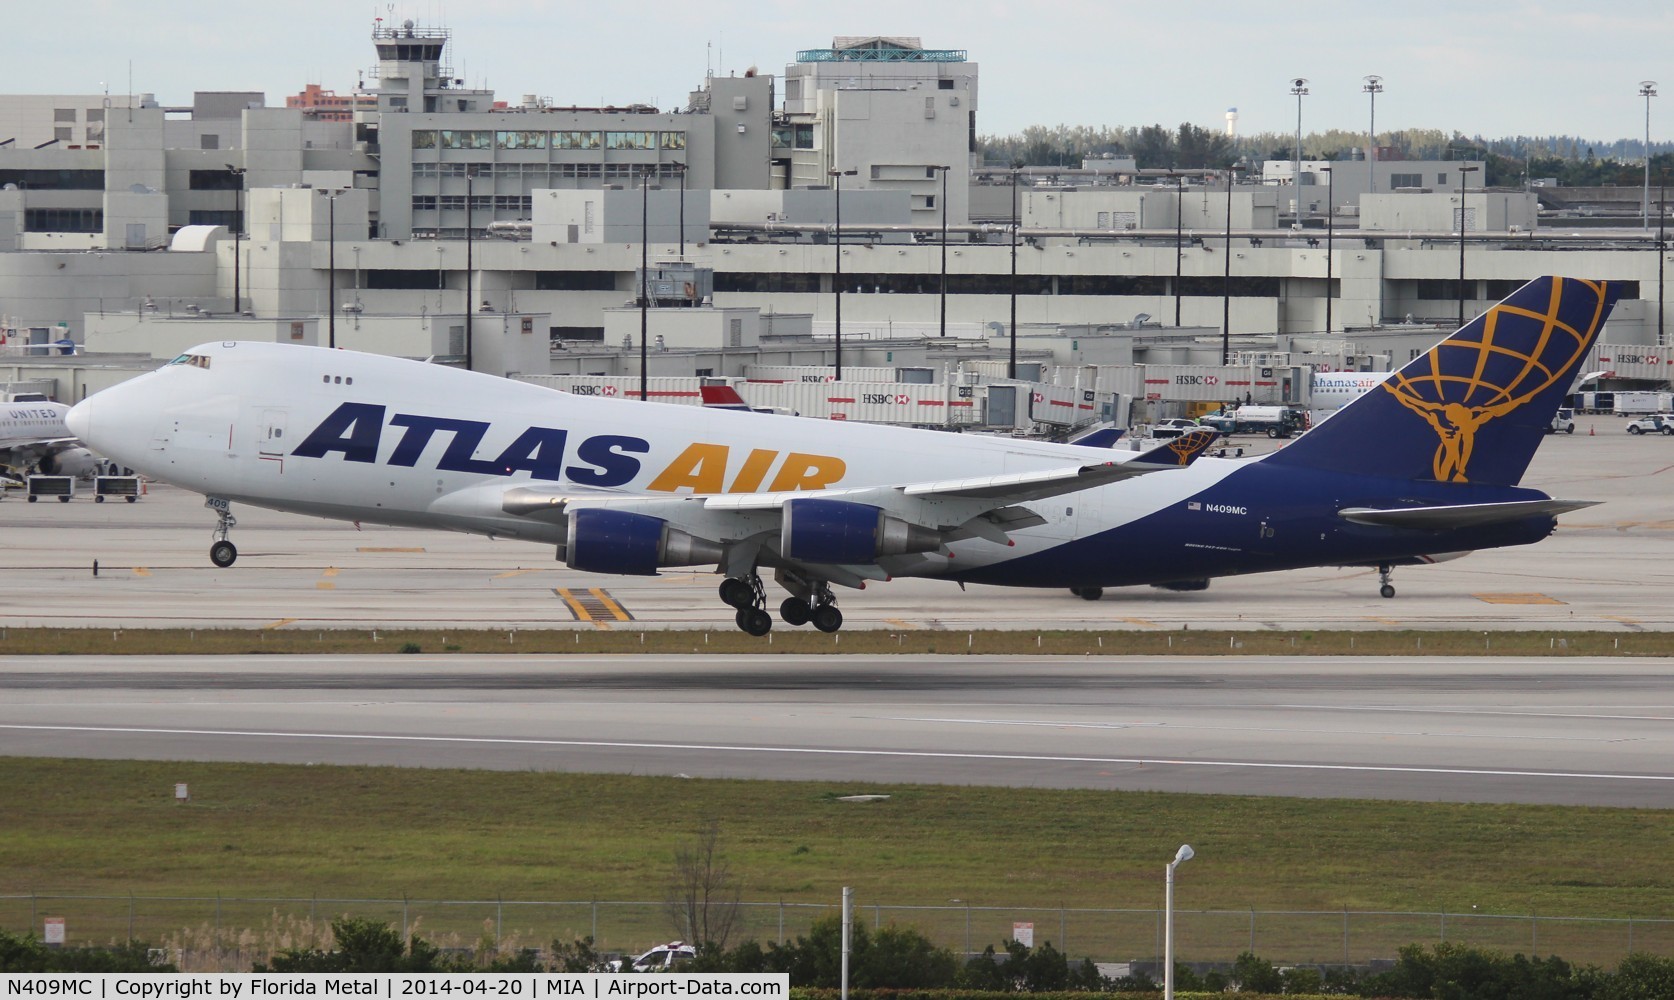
(356, 431)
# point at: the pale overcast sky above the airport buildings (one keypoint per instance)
(1494, 68)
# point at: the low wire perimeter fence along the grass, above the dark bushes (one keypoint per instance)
(207, 934)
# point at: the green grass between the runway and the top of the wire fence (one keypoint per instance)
(113, 828)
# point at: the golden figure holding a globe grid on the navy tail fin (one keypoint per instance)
(1472, 381)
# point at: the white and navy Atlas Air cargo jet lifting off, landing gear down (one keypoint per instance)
(1422, 468)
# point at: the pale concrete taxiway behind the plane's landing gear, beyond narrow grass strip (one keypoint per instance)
(1606, 567)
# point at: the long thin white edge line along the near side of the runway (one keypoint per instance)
(843, 753)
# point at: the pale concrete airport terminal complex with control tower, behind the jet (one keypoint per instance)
(426, 219)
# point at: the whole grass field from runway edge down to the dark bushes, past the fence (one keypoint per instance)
(270, 853)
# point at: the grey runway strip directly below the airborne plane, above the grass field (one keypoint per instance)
(1486, 731)
